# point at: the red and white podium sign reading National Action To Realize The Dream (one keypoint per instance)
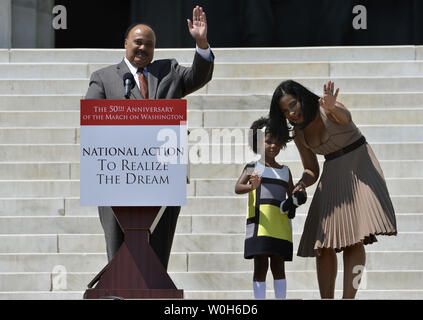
(133, 152)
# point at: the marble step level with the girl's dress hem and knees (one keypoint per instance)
(196, 262)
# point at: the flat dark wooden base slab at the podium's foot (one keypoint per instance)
(134, 293)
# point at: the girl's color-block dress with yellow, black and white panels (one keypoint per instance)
(268, 231)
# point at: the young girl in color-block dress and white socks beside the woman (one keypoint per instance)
(268, 230)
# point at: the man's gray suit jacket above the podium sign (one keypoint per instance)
(166, 80)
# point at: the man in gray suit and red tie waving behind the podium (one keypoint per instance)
(161, 79)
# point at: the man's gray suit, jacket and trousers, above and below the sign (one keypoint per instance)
(166, 80)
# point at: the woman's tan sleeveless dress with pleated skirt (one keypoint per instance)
(351, 203)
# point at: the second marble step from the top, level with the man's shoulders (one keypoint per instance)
(229, 69)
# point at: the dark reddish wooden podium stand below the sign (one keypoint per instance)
(135, 272)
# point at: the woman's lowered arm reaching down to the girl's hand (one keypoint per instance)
(310, 164)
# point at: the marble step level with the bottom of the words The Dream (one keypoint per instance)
(197, 187)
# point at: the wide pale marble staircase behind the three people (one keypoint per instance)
(45, 234)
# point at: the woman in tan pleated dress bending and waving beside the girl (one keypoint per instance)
(351, 204)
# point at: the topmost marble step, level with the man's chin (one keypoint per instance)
(344, 53)
